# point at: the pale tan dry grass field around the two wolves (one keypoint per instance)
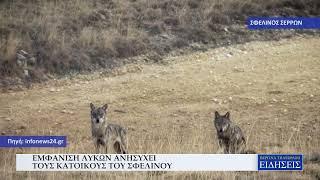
(272, 90)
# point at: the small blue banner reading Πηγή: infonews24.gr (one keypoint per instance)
(33, 141)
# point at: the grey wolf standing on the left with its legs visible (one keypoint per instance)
(104, 133)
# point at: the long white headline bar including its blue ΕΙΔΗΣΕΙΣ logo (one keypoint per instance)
(159, 162)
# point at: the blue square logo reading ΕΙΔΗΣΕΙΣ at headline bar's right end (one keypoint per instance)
(280, 162)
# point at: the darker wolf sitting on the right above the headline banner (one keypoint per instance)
(230, 136)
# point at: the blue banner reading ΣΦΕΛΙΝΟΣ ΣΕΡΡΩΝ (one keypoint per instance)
(256, 23)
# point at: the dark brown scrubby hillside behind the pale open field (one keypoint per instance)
(77, 35)
